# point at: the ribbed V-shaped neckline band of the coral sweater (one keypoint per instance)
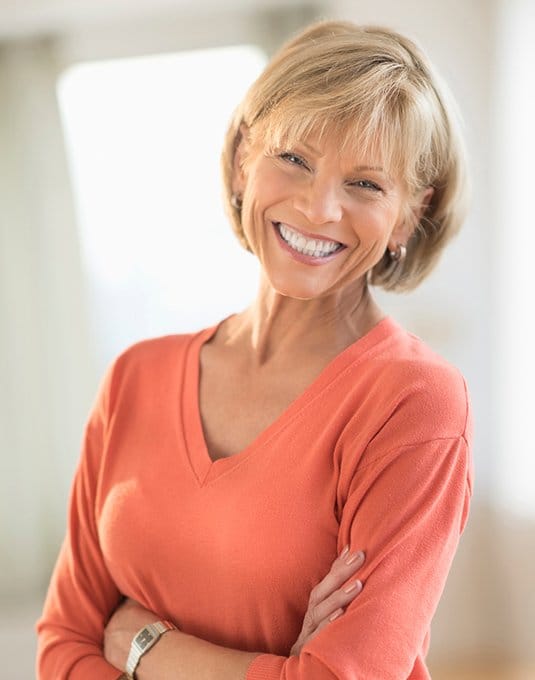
(206, 469)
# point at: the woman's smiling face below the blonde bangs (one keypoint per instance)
(317, 219)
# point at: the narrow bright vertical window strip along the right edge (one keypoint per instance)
(515, 370)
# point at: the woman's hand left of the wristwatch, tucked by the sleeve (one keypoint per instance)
(125, 622)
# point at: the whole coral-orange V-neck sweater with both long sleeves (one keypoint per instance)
(375, 453)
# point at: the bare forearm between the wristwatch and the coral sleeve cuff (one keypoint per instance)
(178, 656)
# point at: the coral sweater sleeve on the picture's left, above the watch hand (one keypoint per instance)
(81, 594)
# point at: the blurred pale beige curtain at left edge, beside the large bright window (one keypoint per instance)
(46, 376)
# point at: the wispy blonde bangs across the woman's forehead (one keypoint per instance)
(388, 127)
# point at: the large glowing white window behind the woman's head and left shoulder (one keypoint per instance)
(144, 138)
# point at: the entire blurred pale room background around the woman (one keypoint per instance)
(112, 115)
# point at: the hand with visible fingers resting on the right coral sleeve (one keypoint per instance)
(328, 598)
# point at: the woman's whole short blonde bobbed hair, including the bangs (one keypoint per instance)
(378, 90)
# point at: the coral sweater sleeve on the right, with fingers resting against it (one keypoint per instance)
(407, 509)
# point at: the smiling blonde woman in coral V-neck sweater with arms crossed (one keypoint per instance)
(235, 483)
